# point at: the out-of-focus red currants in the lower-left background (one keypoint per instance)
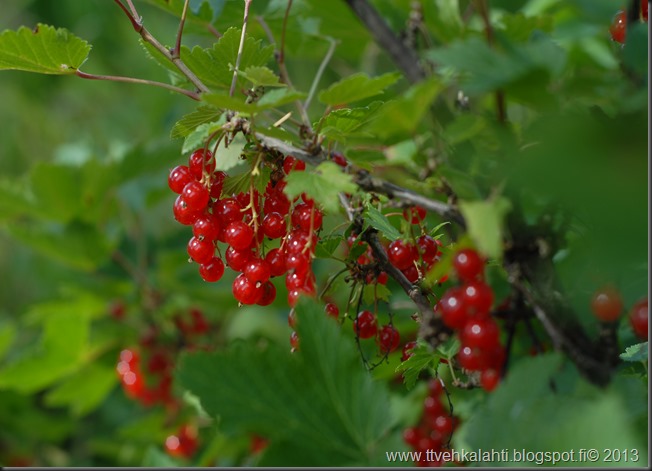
(145, 373)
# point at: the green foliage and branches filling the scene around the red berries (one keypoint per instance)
(524, 140)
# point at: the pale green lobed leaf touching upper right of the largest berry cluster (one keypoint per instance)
(323, 184)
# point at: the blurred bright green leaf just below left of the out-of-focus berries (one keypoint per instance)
(83, 391)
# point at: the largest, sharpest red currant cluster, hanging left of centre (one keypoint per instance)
(242, 222)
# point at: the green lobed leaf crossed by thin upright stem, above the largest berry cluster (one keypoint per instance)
(214, 66)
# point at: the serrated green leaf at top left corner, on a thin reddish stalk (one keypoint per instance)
(44, 50)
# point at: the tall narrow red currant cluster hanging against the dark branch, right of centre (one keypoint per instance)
(466, 309)
